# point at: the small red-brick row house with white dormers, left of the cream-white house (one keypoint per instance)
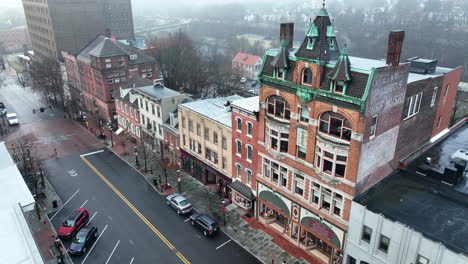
(126, 106)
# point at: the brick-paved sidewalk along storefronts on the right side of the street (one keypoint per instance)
(263, 243)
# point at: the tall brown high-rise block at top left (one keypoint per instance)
(63, 25)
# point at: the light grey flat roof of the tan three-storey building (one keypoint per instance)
(213, 108)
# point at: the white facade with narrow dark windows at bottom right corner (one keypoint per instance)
(374, 239)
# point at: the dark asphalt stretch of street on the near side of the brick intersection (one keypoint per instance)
(139, 226)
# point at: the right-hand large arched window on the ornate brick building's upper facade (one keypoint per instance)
(335, 125)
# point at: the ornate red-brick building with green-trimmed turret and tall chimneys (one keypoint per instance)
(332, 125)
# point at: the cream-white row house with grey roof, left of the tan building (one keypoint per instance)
(157, 104)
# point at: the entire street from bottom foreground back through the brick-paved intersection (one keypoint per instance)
(135, 224)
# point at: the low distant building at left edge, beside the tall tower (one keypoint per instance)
(14, 39)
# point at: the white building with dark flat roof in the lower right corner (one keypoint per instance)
(418, 214)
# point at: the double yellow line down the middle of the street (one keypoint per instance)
(137, 212)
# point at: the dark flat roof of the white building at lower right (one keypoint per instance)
(437, 210)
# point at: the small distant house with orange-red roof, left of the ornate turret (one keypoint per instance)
(247, 65)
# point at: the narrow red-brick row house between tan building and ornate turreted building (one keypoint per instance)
(244, 152)
